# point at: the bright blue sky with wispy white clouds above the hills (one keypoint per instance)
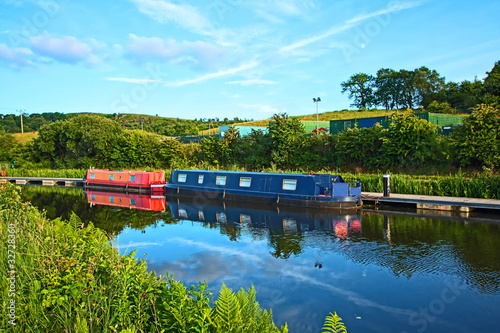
(228, 58)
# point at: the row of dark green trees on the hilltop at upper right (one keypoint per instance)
(423, 88)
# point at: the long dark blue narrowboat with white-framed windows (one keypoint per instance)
(290, 189)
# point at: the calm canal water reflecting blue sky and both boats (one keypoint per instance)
(381, 271)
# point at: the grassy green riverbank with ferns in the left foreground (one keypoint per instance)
(63, 276)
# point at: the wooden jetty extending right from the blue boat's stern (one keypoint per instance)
(457, 204)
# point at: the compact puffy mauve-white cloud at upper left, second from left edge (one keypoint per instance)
(65, 49)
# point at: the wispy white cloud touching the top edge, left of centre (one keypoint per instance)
(166, 12)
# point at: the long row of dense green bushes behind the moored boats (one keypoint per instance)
(409, 143)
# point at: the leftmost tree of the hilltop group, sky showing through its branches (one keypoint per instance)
(360, 88)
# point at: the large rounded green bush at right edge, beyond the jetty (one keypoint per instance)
(477, 142)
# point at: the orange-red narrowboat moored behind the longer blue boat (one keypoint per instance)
(130, 181)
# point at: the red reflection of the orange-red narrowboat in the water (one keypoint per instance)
(126, 200)
